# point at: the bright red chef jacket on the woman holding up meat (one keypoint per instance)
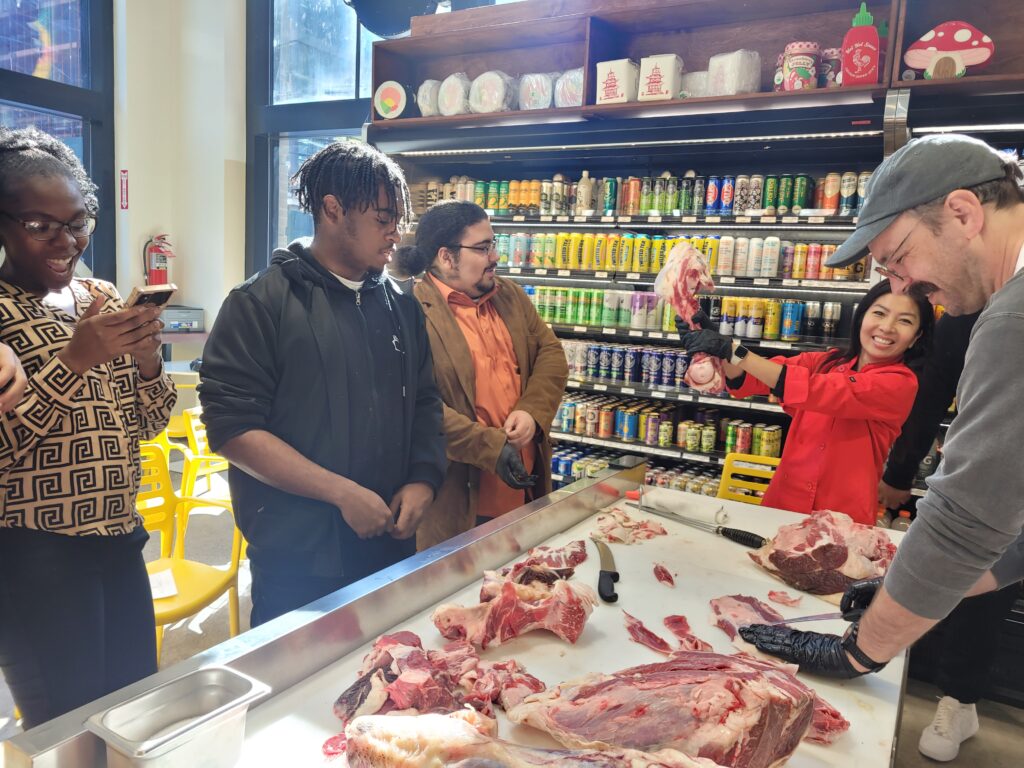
(844, 423)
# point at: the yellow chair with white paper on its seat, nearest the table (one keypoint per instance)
(166, 514)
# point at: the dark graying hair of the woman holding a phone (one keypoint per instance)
(29, 152)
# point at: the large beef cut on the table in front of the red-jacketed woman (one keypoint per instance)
(826, 552)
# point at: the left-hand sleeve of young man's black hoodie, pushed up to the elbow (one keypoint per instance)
(239, 376)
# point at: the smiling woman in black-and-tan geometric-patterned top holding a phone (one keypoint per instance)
(76, 611)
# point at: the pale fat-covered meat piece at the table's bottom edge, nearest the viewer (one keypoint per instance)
(459, 741)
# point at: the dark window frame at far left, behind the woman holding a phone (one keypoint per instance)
(95, 107)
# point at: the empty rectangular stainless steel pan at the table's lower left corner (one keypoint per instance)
(197, 721)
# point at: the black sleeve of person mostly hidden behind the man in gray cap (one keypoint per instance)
(936, 388)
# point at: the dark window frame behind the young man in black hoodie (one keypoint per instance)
(268, 122)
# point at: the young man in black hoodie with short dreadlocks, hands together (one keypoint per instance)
(317, 386)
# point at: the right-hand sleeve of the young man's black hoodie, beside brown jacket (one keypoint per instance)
(428, 462)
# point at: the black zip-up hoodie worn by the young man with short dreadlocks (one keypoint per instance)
(344, 377)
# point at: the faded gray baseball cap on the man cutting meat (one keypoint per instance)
(926, 169)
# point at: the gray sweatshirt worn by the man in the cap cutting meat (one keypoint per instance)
(972, 518)
